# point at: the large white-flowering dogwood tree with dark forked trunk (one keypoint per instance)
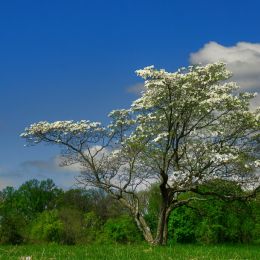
(187, 128)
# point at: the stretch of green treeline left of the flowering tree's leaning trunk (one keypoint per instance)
(40, 212)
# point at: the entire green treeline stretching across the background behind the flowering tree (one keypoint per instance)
(40, 212)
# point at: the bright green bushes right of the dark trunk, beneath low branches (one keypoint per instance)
(212, 221)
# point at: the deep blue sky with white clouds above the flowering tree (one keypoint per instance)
(63, 60)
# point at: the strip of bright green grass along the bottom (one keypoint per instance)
(131, 252)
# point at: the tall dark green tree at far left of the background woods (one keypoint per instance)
(20, 206)
